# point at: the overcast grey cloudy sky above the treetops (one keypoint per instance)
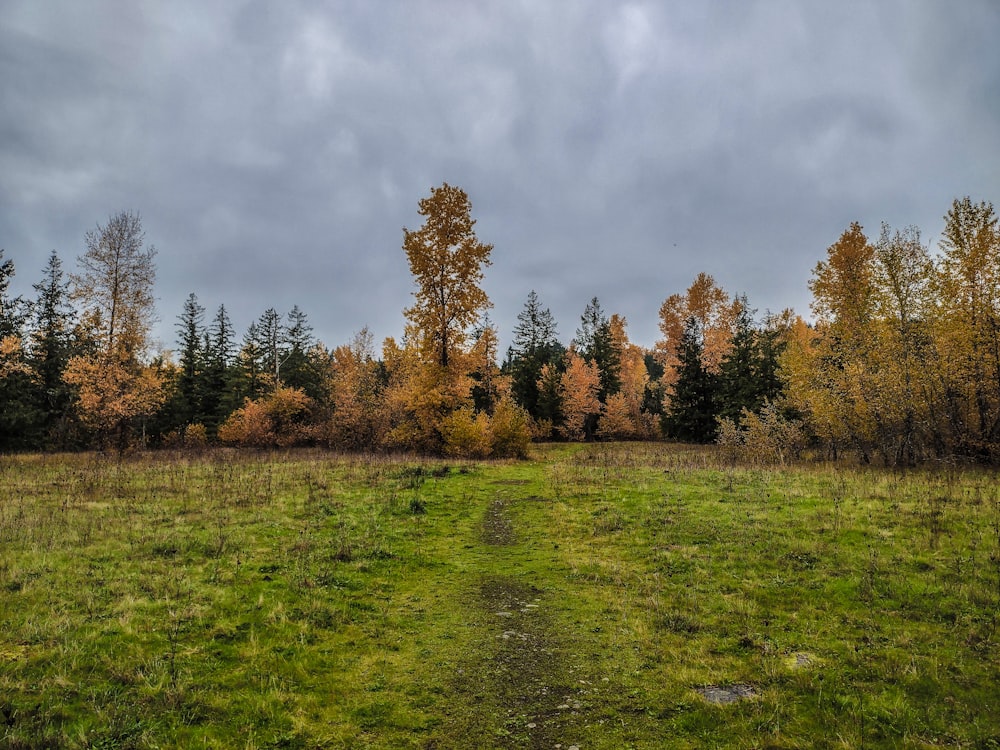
(276, 151)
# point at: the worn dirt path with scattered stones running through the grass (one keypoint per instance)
(518, 683)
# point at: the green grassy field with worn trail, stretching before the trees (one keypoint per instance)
(601, 596)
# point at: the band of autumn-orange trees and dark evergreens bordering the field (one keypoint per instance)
(898, 364)
